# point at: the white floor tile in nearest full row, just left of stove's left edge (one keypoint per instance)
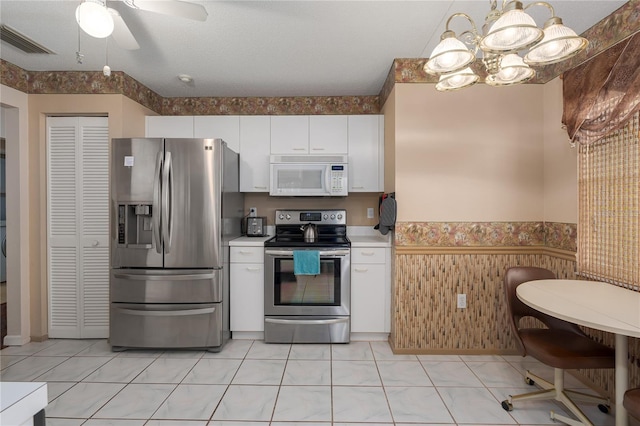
(247, 403)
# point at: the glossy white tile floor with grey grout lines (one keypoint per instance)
(250, 383)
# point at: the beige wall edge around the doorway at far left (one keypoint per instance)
(16, 130)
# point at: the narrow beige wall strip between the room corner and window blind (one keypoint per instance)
(560, 161)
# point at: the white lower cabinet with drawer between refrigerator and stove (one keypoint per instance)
(247, 289)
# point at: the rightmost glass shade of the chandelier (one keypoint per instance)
(559, 43)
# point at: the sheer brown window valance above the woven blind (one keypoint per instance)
(601, 94)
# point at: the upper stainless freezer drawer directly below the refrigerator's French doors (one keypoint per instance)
(166, 286)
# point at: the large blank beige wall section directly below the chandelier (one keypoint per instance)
(470, 155)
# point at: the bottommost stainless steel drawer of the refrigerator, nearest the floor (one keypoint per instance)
(166, 326)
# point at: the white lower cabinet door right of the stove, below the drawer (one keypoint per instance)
(368, 298)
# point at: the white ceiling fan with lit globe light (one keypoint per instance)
(98, 20)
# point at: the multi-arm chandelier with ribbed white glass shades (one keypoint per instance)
(506, 35)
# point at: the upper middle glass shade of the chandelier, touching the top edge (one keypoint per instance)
(514, 30)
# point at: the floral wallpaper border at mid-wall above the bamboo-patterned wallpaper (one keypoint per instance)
(487, 234)
